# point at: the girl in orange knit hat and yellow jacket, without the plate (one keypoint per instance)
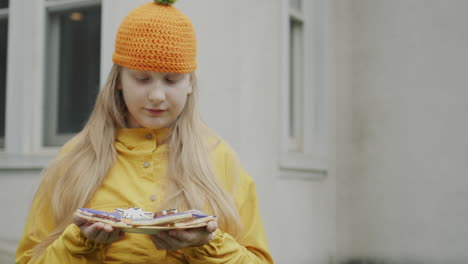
(145, 146)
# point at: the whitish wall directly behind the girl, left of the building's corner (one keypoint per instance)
(239, 79)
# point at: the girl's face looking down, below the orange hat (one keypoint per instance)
(154, 99)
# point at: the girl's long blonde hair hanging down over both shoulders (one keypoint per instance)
(74, 176)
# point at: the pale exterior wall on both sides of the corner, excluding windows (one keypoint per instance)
(395, 186)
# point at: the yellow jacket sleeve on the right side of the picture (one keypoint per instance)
(224, 248)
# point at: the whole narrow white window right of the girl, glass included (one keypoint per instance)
(303, 89)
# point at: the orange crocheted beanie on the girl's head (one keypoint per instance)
(156, 37)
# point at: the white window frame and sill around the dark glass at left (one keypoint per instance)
(24, 120)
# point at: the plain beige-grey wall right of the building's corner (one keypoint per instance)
(402, 129)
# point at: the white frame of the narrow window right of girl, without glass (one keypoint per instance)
(309, 159)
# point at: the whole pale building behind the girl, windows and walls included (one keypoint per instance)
(349, 114)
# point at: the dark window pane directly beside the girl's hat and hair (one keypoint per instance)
(73, 71)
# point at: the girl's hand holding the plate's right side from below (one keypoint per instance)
(184, 238)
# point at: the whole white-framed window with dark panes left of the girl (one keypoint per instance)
(51, 79)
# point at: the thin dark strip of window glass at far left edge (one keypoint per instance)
(3, 66)
